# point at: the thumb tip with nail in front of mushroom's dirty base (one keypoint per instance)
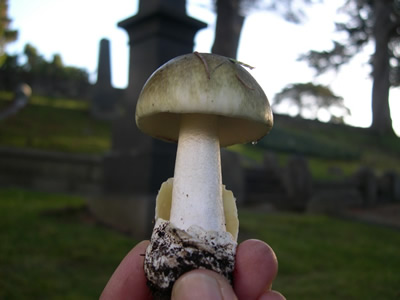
(202, 284)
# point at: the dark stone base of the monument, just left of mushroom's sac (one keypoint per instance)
(132, 215)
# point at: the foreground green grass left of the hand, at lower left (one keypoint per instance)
(48, 251)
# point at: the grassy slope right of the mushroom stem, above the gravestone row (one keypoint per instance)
(332, 152)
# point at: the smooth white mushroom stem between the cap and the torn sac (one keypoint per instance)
(197, 190)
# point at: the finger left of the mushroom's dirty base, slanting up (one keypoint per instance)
(128, 280)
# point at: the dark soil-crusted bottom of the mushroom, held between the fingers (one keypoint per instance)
(173, 252)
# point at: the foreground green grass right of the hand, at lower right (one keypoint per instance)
(325, 258)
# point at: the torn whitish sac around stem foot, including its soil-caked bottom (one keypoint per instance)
(173, 251)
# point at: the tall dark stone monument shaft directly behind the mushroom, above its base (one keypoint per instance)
(159, 32)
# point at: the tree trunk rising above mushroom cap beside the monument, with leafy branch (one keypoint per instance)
(231, 15)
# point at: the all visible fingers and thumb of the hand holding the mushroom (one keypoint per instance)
(255, 269)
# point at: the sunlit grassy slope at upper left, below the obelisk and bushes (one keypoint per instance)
(55, 124)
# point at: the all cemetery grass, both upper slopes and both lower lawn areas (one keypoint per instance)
(51, 247)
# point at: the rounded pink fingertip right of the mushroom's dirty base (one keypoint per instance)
(255, 269)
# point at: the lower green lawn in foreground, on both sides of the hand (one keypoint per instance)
(50, 249)
